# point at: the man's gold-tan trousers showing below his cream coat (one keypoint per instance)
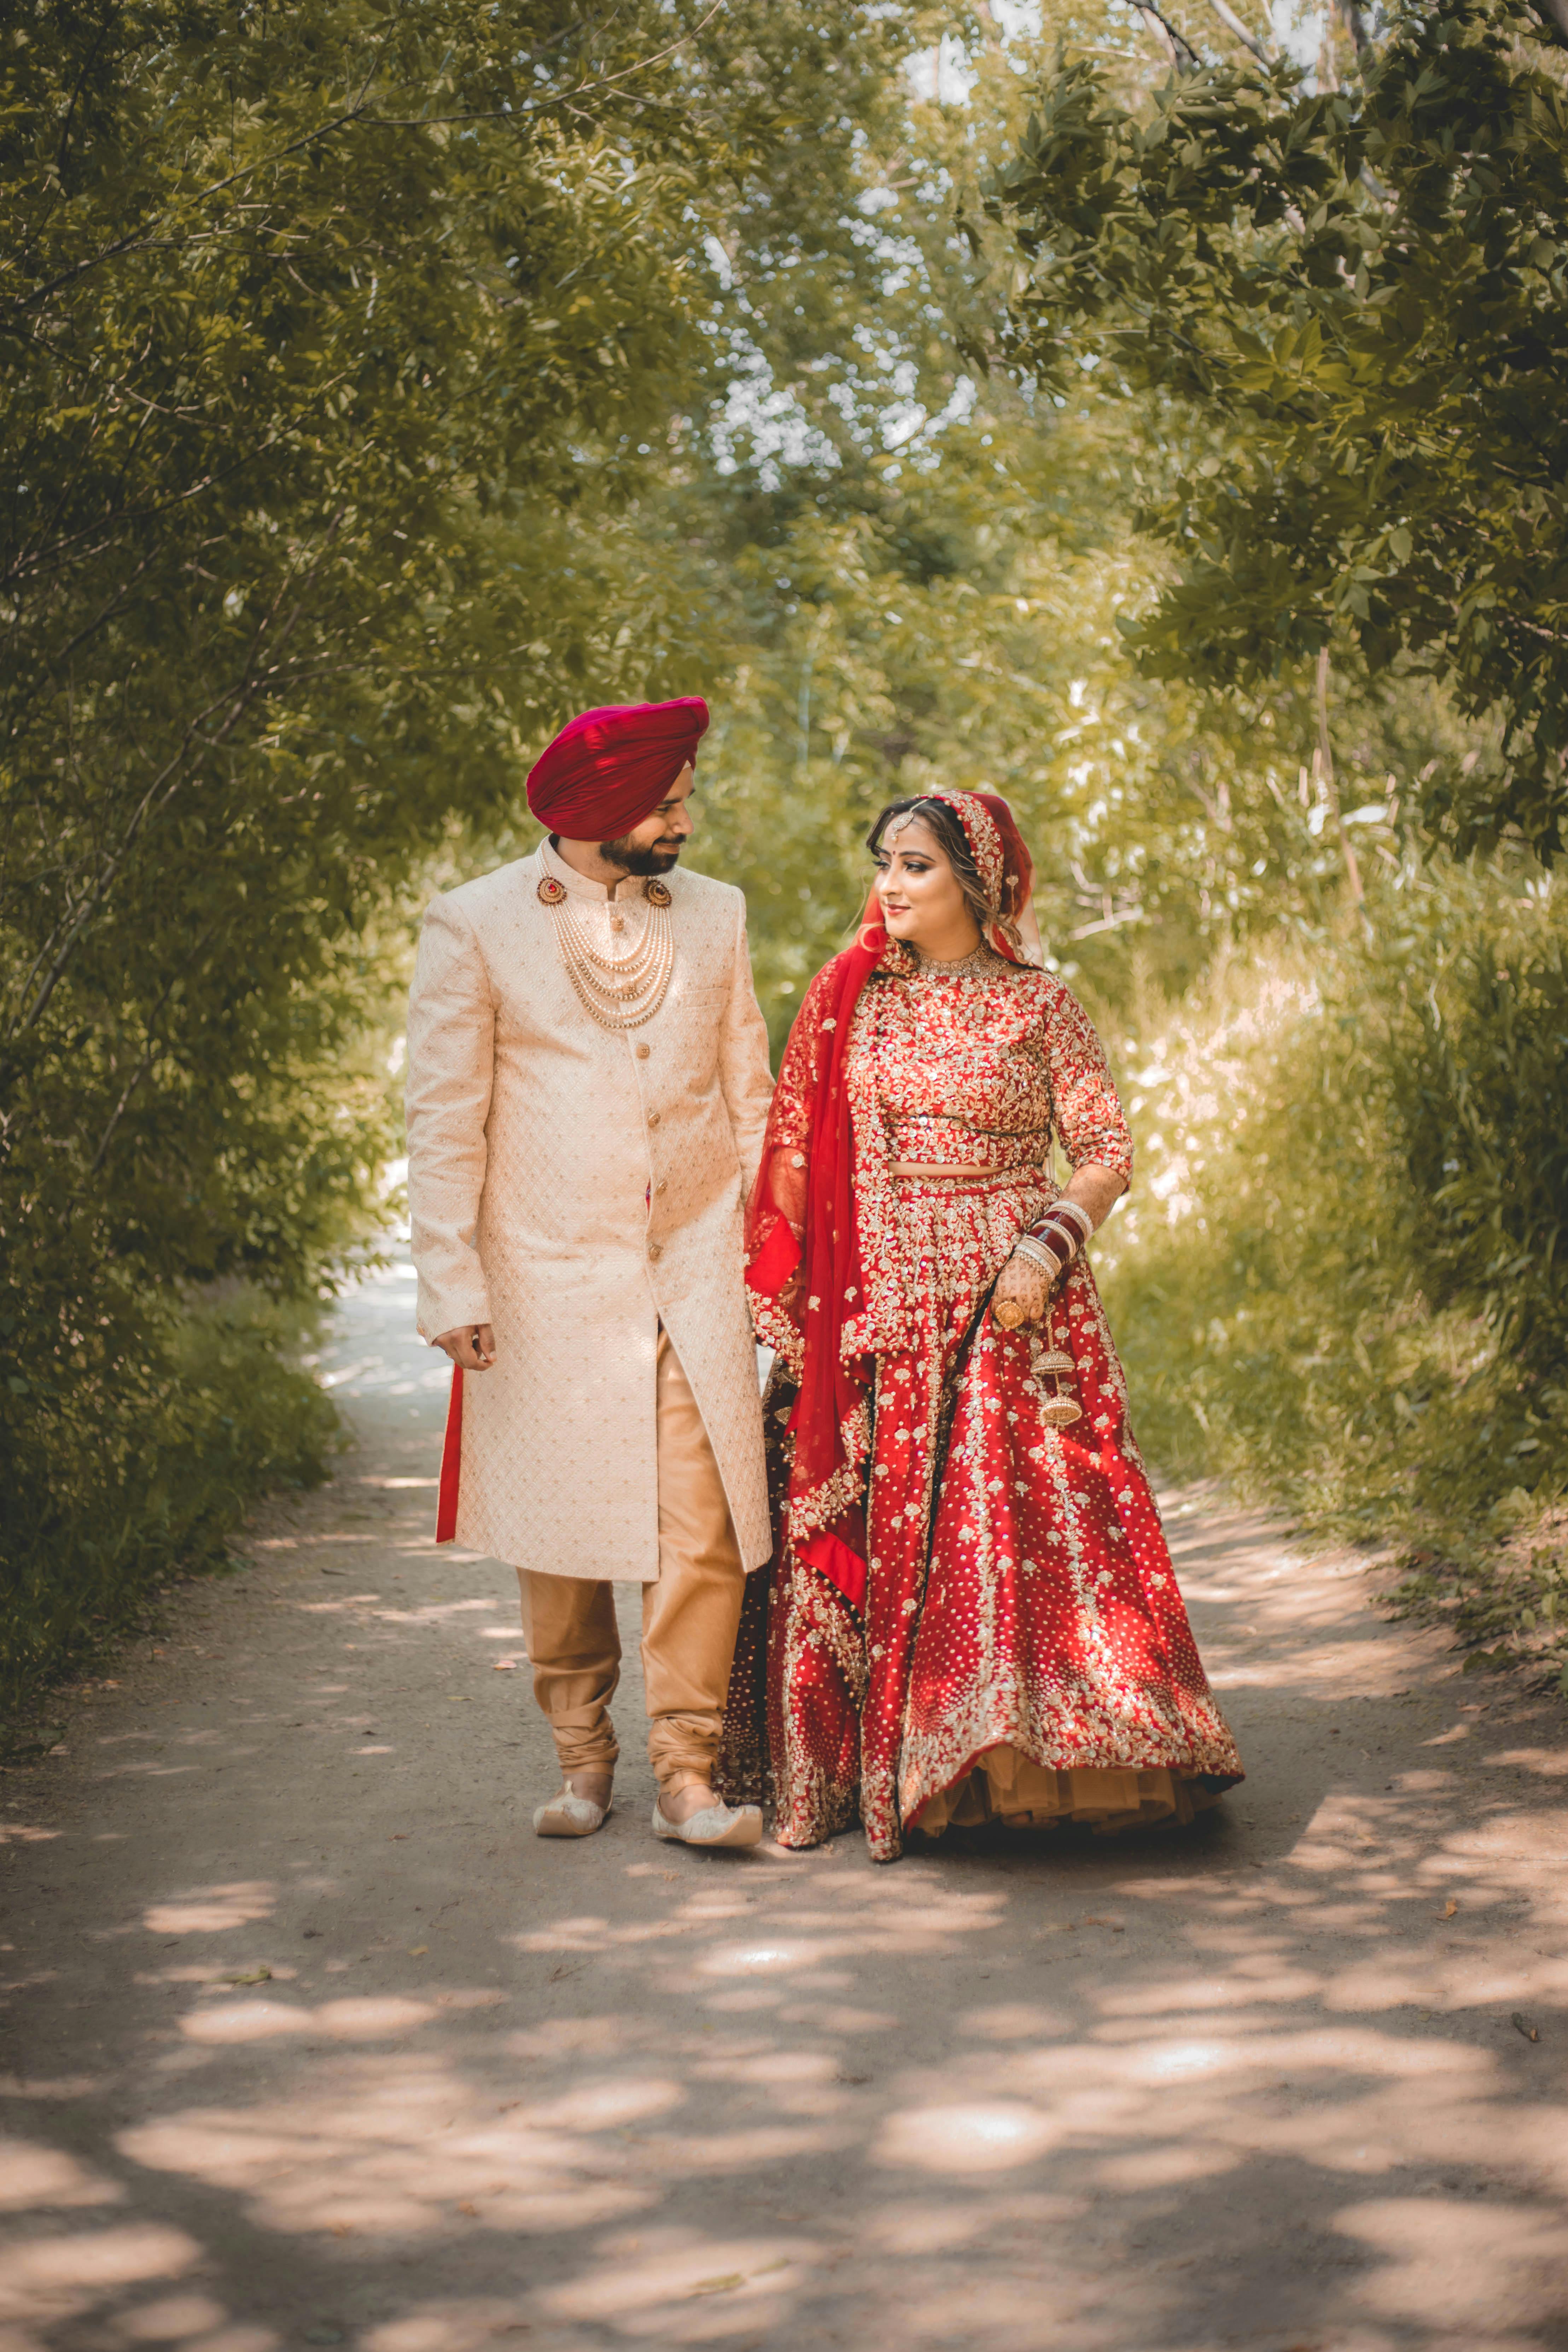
(690, 1617)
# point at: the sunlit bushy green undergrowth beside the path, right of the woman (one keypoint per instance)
(1341, 1278)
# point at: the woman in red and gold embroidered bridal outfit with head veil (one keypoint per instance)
(972, 1610)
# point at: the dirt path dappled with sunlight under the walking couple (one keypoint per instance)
(311, 2043)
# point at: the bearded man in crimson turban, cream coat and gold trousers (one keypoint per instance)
(589, 1085)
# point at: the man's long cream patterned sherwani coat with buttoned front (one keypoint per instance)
(577, 1189)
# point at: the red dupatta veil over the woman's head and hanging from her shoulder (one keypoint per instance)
(803, 1248)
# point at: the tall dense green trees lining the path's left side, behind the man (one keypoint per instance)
(335, 345)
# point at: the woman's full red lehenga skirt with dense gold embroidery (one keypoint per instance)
(1024, 1650)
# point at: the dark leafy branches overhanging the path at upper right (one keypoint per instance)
(1365, 298)
